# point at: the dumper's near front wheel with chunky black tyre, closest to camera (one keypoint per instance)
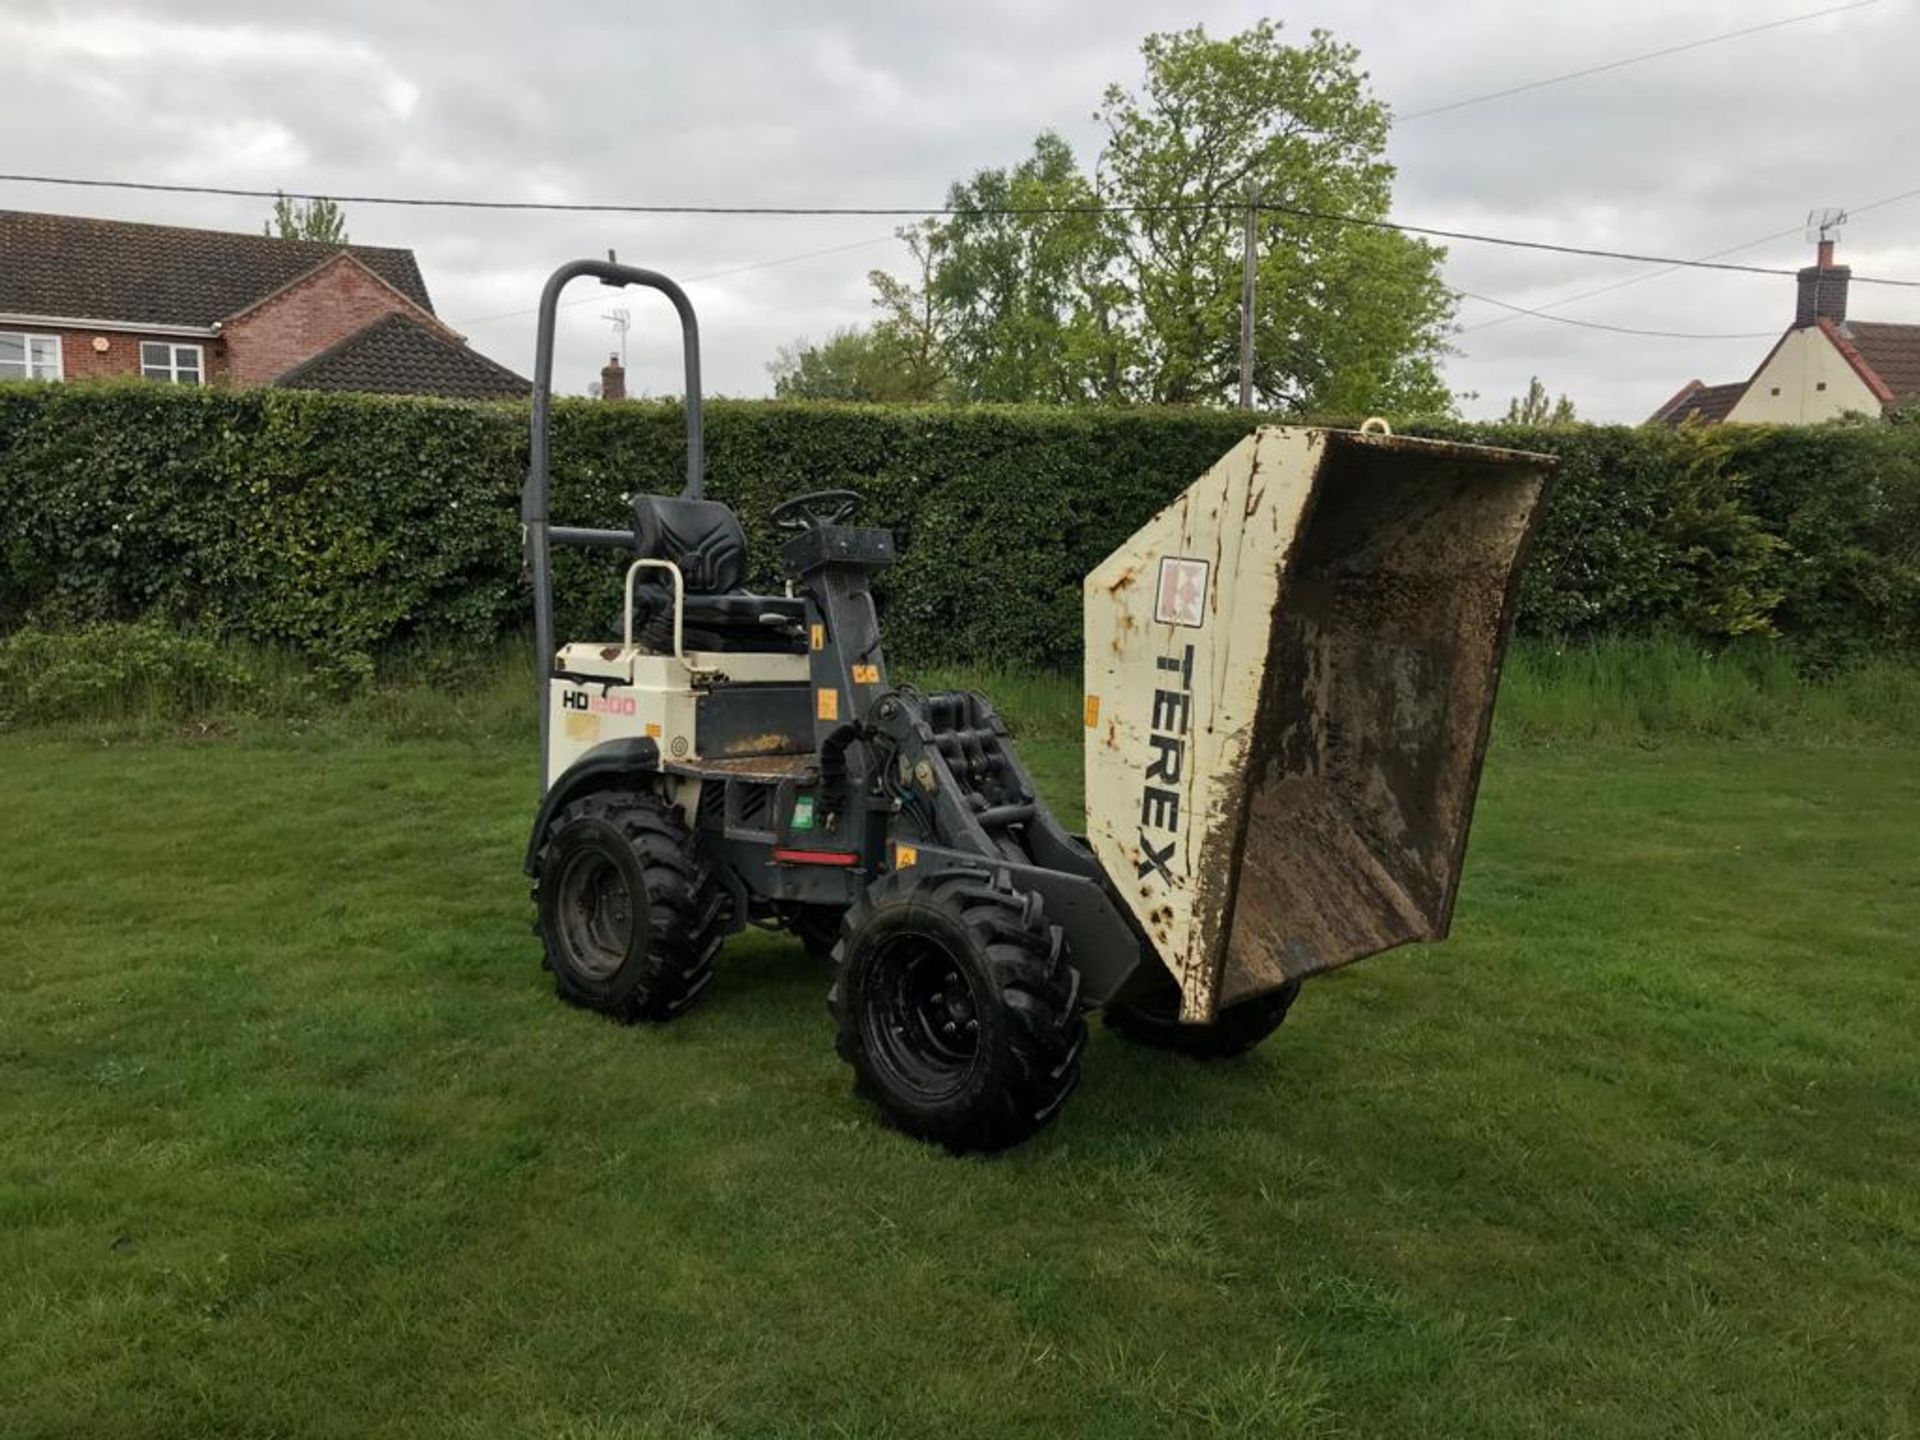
(957, 1009)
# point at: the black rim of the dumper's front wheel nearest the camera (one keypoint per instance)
(921, 1017)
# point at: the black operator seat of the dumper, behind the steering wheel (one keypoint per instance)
(704, 539)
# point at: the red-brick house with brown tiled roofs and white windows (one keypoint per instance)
(84, 299)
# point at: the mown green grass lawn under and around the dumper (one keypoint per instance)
(297, 1141)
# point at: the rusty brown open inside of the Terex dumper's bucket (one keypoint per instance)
(1385, 656)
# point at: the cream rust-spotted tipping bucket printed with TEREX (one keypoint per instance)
(1291, 675)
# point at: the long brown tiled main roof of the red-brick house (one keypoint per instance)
(80, 268)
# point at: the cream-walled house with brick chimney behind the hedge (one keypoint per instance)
(1825, 366)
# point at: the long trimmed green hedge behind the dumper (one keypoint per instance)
(343, 525)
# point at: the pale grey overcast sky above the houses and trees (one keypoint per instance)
(884, 105)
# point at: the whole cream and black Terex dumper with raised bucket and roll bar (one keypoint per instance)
(1289, 683)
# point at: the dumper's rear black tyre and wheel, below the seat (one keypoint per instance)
(629, 913)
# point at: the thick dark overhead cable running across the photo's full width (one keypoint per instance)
(915, 212)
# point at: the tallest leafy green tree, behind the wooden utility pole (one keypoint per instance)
(1347, 316)
